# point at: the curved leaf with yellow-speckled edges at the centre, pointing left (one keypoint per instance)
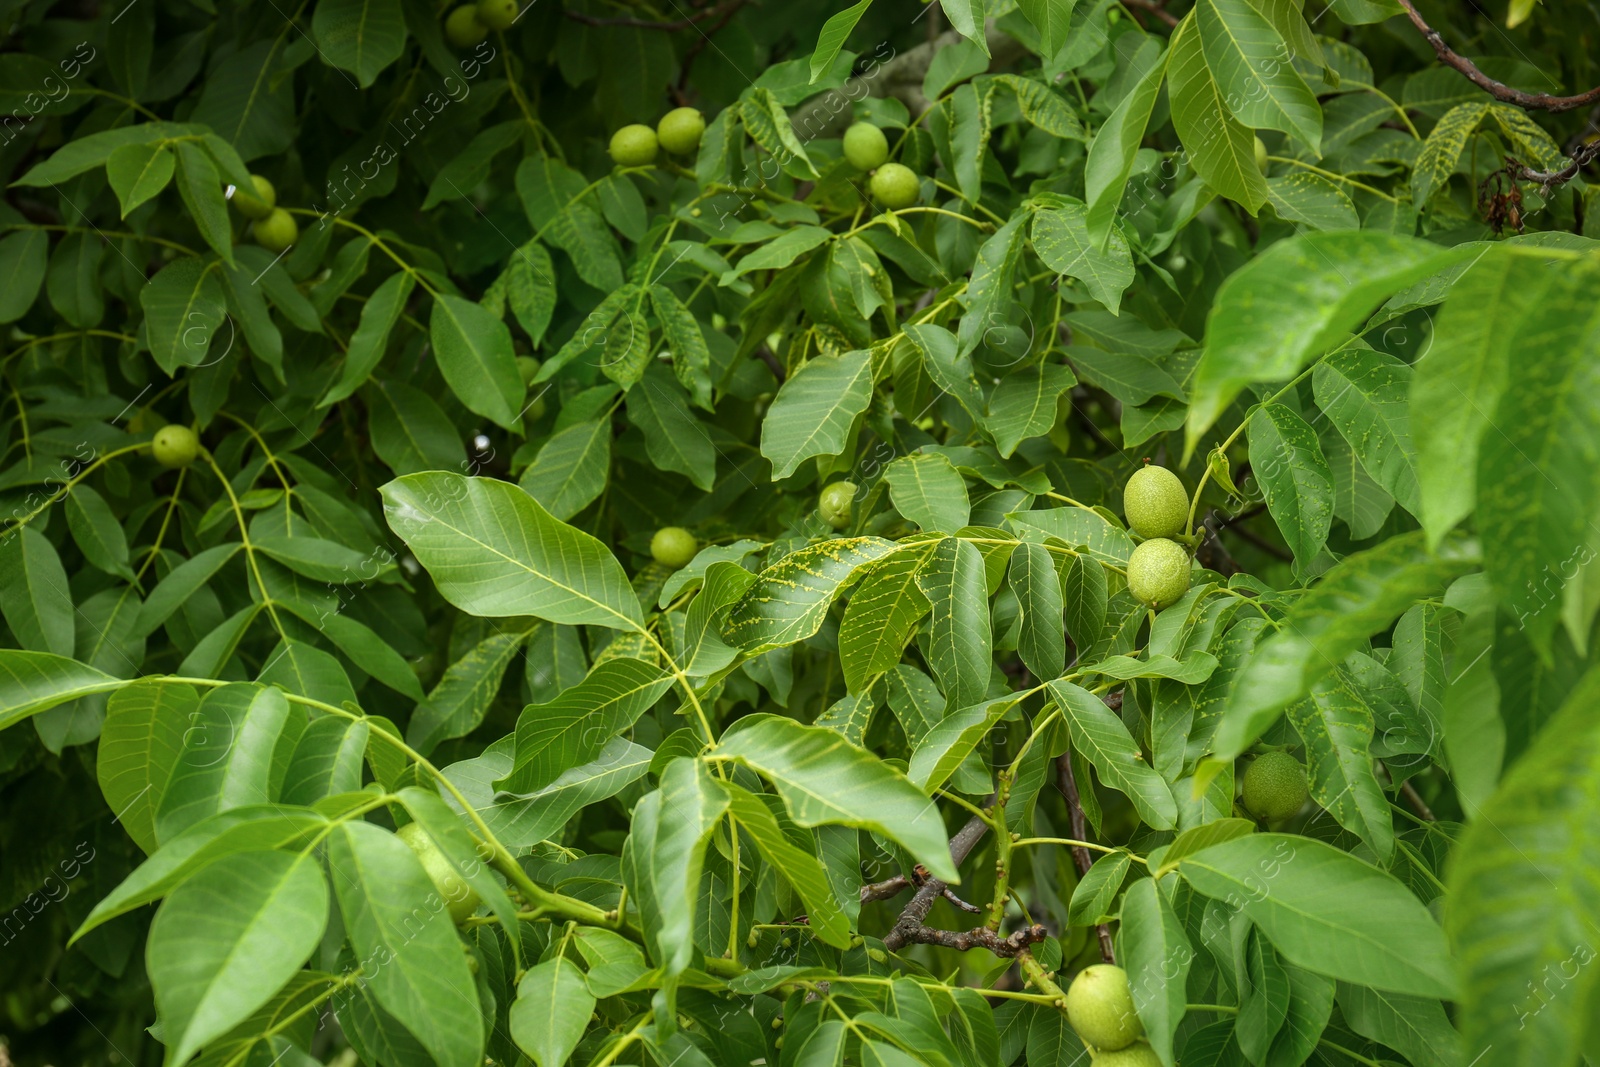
(791, 597)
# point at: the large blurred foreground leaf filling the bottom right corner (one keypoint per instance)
(1524, 897)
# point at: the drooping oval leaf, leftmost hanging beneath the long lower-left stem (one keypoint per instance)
(138, 751)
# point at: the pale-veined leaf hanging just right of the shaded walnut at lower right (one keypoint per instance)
(1338, 732)
